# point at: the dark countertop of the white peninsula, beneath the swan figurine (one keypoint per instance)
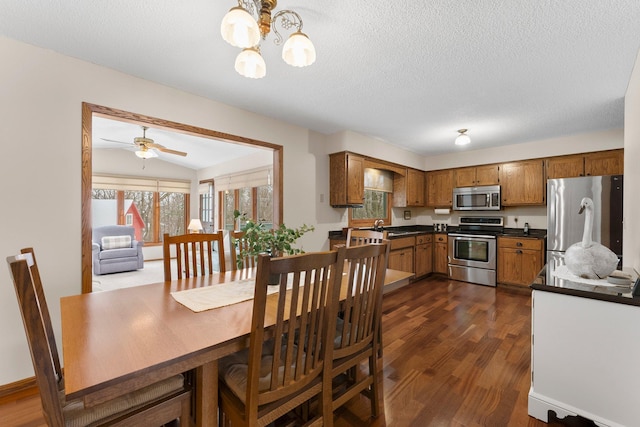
(549, 282)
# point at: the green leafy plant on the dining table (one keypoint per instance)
(262, 240)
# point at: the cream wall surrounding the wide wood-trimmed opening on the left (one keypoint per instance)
(40, 105)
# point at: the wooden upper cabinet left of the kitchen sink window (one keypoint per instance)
(346, 179)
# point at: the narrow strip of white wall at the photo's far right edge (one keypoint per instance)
(631, 233)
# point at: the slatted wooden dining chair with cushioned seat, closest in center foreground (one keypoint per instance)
(284, 366)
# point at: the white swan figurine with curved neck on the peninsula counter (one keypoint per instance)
(589, 259)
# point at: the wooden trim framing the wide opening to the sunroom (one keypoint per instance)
(88, 111)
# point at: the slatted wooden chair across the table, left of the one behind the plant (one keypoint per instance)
(194, 254)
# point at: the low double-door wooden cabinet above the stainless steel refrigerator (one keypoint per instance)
(609, 162)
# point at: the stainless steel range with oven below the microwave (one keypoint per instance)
(472, 250)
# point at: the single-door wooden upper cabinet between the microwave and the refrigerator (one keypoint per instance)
(523, 183)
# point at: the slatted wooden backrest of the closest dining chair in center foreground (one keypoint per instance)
(300, 313)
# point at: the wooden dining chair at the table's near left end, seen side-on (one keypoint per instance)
(154, 405)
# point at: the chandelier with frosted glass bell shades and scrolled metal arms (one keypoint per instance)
(245, 24)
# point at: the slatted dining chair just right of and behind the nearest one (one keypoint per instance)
(358, 335)
